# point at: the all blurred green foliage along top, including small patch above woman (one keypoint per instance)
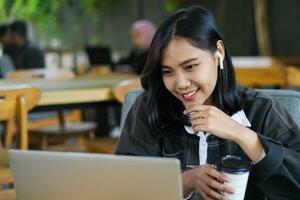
(73, 23)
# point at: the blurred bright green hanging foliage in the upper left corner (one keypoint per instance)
(43, 15)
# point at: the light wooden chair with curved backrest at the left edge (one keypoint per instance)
(15, 102)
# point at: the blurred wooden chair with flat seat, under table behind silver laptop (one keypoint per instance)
(53, 133)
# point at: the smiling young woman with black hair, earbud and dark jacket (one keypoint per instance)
(193, 110)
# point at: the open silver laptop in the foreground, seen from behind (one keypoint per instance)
(77, 176)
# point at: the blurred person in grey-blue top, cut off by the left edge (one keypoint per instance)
(6, 63)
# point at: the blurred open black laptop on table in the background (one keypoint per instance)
(99, 55)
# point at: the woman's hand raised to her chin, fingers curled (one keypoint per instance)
(211, 119)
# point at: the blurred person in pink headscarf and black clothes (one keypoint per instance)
(142, 32)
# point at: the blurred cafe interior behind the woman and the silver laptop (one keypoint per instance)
(70, 93)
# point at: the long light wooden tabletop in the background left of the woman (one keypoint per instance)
(80, 90)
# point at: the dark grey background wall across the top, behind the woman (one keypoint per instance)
(234, 17)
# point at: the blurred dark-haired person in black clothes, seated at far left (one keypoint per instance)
(24, 54)
